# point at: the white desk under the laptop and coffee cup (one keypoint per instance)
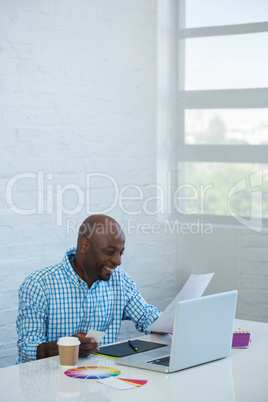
(243, 377)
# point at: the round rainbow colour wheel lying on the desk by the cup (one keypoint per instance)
(92, 372)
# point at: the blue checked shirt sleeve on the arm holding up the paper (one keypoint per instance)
(137, 309)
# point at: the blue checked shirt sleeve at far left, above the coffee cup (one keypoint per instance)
(32, 320)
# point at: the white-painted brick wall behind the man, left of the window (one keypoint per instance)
(78, 83)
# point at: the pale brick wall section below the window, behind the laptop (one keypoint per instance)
(239, 259)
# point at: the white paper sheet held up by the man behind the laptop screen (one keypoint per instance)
(193, 288)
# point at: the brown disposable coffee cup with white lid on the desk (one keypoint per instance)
(68, 351)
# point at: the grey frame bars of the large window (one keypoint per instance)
(215, 99)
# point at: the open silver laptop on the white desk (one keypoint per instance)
(202, 332)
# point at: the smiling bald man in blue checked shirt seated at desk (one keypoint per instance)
(85, 291)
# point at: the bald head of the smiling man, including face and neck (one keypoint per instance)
(100, 246)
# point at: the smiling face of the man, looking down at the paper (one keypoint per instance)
(104, 255)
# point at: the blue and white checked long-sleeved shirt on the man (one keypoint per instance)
(56, 302)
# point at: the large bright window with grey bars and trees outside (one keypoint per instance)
(222, 120)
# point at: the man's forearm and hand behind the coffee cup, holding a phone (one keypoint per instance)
(87, 346)
